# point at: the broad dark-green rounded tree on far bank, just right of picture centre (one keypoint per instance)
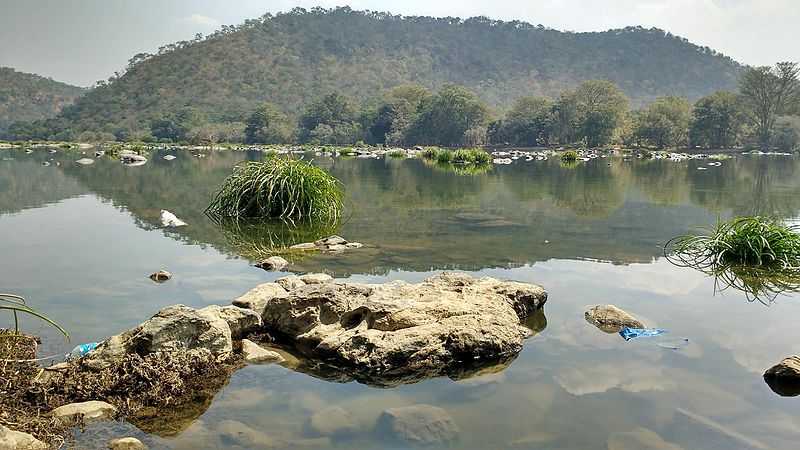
(445, 118)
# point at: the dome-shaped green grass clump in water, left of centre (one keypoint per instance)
(279, 188)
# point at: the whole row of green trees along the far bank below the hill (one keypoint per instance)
(764, 113)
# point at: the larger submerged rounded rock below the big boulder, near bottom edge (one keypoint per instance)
(418, 425)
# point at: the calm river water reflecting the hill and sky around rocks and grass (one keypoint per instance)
(79, 242)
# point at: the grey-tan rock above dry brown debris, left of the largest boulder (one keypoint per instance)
(177, 328)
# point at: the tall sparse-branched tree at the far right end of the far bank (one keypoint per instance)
(768, 92)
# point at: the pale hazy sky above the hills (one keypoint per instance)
(81, 41)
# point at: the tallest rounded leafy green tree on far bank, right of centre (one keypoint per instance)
(601, 108)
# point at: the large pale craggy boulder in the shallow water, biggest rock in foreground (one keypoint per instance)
(398, 329)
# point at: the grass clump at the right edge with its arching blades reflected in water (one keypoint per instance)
(757, 255)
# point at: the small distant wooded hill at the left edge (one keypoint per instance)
(25, 96)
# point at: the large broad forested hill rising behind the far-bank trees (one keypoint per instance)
(291, 58)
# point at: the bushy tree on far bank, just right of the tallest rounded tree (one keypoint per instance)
(665, 123)
